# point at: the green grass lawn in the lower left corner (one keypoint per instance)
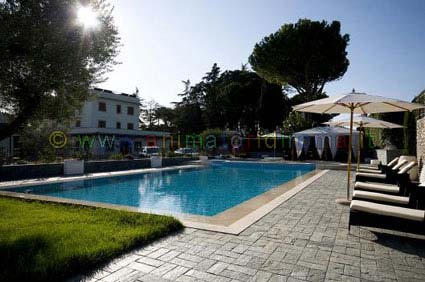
(42, 241)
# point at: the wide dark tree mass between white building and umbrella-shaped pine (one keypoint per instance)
(236, 99)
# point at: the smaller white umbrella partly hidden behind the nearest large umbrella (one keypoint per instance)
(363, 122)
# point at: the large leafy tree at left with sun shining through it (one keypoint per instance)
(48, 61)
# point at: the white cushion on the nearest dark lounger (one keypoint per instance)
(387, 210)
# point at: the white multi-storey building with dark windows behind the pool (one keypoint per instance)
(109, 123)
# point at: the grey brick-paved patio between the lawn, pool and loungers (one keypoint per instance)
(304, 239)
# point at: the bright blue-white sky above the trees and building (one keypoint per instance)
(167, 41)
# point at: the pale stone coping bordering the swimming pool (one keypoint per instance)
(231, 221)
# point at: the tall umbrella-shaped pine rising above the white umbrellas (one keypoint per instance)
(305, 56)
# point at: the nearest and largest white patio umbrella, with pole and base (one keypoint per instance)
(351, 103)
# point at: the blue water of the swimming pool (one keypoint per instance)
(203, 191)
